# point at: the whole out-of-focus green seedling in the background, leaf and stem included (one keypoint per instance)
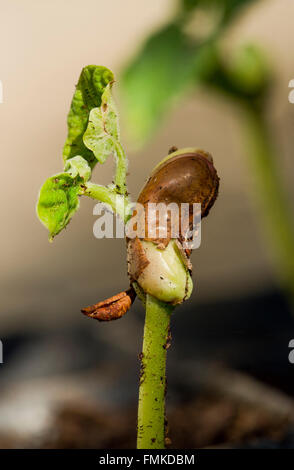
(188, 52)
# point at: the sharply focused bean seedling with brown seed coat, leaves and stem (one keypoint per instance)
(159, 268)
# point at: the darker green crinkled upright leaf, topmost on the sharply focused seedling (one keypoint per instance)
(89, 90)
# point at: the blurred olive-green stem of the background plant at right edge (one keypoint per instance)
(270, 189)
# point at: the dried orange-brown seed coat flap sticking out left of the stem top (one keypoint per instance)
(113, 308)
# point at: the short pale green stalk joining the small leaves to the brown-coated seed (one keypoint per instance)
(118, 202)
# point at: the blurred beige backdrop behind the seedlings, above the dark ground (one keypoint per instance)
(43, 46)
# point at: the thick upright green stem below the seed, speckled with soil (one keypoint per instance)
(151, 410)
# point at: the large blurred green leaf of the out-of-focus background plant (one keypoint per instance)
(158, 76)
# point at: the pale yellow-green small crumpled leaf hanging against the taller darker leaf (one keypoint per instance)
(102, 133)
